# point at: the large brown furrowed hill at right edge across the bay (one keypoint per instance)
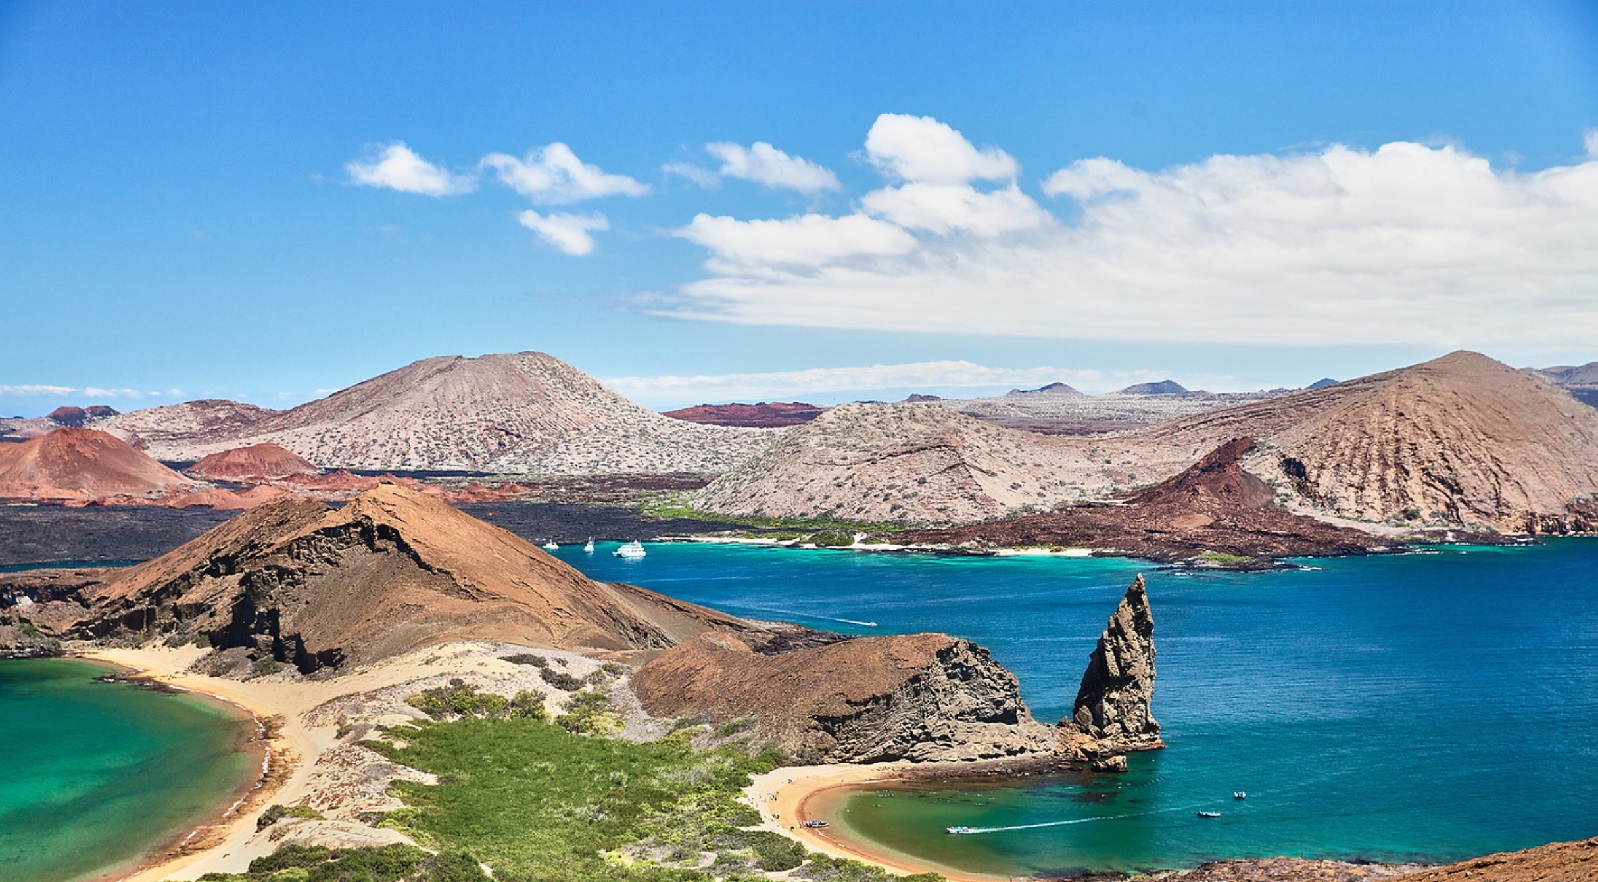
(1460, 440)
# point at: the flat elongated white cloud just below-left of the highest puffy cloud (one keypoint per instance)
(797, 242)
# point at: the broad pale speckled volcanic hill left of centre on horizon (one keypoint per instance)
(496, 413)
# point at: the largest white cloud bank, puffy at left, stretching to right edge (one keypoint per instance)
(1405, 245)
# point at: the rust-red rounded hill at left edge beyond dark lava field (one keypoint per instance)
(82, 464)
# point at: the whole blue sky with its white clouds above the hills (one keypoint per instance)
(707, 202)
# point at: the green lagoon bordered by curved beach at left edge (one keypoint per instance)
(97, 774)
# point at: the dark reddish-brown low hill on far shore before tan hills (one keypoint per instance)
(1214, 509)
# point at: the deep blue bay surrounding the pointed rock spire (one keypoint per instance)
(1418, 707)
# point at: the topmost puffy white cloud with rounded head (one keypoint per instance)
(924, 149)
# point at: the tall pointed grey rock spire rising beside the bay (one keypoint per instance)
(1113, 704)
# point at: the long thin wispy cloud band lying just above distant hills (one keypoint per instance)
(864, 379)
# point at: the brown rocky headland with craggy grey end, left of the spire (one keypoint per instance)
(920, 697)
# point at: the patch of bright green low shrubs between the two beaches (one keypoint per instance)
(557, 803)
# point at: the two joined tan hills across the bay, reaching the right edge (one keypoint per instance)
(1460, 440)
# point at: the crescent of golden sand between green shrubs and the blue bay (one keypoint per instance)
(790, 797)
